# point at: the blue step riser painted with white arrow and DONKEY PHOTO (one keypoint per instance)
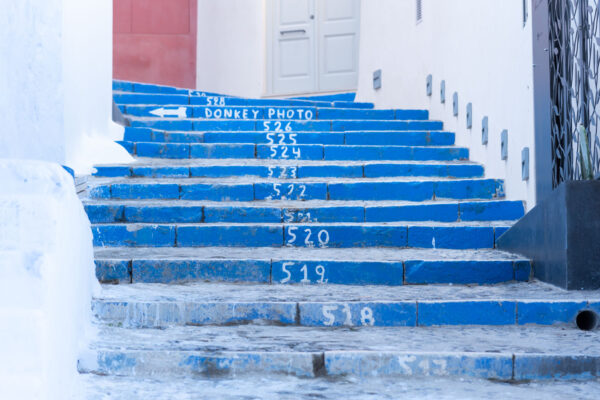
(272, 113)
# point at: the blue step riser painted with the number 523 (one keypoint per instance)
(295, 172)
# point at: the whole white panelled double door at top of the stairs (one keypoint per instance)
(314, 45)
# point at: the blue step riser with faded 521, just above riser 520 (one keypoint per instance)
(477, 211)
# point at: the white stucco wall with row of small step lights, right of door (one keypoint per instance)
(483, 52)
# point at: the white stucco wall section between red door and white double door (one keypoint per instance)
(231, 47)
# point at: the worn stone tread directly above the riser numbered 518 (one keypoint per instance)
(253, 293)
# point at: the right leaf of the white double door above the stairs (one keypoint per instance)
(339, 22)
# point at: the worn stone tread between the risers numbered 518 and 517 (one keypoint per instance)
(261, 338)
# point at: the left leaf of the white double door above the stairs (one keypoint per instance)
(294, 50)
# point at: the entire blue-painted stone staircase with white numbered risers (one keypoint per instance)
(313, 237)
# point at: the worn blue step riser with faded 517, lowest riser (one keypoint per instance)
(360, 364)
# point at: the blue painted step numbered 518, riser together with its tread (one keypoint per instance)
(328, 306)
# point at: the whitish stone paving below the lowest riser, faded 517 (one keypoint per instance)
(280, 387)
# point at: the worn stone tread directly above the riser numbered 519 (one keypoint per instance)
(291, 253)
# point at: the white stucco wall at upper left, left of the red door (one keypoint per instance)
(55, 75)
